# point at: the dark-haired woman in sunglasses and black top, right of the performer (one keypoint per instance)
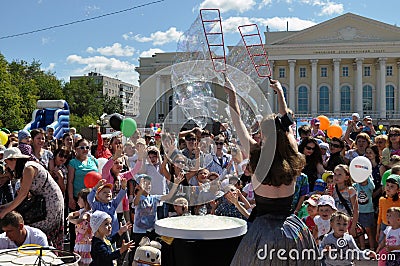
(314, 164)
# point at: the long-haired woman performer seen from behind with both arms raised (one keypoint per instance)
(275, 165)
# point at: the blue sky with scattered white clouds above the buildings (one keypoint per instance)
(113, 44)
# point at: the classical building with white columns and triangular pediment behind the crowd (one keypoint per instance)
(346, 64)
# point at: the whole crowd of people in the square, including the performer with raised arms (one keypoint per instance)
(293, 193)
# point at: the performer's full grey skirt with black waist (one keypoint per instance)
(275, 228)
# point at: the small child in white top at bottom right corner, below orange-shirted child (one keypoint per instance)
(391, 243)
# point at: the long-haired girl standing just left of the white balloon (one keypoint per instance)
(343, 184)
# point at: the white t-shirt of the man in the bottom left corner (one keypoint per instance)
(33, 236)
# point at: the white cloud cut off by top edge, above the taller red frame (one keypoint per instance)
(229, 5)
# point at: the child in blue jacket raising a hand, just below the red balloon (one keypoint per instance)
(100, 198)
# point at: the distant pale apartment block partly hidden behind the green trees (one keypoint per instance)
(128, 93)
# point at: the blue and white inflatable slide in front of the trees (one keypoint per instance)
(51, 113)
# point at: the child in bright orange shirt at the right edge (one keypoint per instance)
(391, 199)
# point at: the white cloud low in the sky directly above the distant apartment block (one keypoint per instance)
(111, 67)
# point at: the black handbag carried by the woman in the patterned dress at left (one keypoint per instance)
(33, 207)
